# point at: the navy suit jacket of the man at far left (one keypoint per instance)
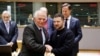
(6, 37)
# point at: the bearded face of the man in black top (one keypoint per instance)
(58, 23)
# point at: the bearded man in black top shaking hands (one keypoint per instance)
(61, 39)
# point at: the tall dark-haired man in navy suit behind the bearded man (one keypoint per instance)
(73, 24)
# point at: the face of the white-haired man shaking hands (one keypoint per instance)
(40, 20)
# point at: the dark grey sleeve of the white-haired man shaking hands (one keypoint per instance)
(30, 41)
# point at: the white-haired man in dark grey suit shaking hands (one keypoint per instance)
(34, 37)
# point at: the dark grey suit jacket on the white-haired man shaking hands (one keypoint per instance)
(32, 44)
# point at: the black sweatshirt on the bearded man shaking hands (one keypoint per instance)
(62, 42)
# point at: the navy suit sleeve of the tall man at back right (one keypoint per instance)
(78, 32)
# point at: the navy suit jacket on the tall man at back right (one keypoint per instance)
(76, 29)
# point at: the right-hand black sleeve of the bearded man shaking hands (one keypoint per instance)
(67, 45)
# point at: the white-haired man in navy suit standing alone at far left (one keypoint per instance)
(8, 31)
